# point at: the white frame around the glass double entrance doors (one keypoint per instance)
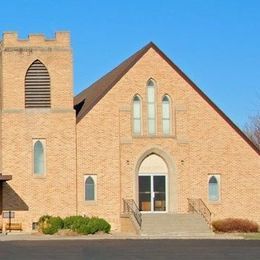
(152, 191)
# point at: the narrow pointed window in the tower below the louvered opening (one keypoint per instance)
(39, 160)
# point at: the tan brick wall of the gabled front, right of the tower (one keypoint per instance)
(202, 143)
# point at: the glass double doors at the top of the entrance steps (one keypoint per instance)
(152, 193)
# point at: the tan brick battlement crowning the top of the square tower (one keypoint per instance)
(11, 39)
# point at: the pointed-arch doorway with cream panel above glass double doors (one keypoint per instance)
(153, 184)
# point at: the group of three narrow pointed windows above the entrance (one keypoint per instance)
(151, 111)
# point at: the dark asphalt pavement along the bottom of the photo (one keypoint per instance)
(131, 249)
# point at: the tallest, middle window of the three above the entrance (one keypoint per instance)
(151, 107)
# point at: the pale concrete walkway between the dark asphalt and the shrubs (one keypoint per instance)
(116, 235)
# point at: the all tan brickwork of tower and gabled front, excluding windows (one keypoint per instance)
(201, 143)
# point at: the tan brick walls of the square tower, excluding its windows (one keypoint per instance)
(55, 193)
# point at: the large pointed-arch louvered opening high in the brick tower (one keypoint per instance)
(37, 86)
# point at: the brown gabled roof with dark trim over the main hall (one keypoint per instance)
(89, 97)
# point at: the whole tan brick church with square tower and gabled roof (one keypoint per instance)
(142, 140)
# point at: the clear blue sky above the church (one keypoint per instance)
(215, 42)
